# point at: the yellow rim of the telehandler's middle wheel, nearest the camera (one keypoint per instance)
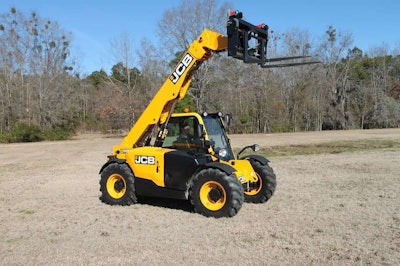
(209, 201)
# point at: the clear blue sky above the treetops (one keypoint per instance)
(95, 23)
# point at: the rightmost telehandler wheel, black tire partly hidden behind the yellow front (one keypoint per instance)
(265, 186)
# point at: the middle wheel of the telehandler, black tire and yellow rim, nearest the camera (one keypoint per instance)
(215, 194)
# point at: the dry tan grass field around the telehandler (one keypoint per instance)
(328, 209)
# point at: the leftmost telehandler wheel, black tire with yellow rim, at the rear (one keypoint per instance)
(117, 185)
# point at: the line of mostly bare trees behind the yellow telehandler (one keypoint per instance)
(43, 97)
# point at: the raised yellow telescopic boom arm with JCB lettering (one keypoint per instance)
(174, 88)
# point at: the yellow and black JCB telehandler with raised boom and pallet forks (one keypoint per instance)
(188, 155)
